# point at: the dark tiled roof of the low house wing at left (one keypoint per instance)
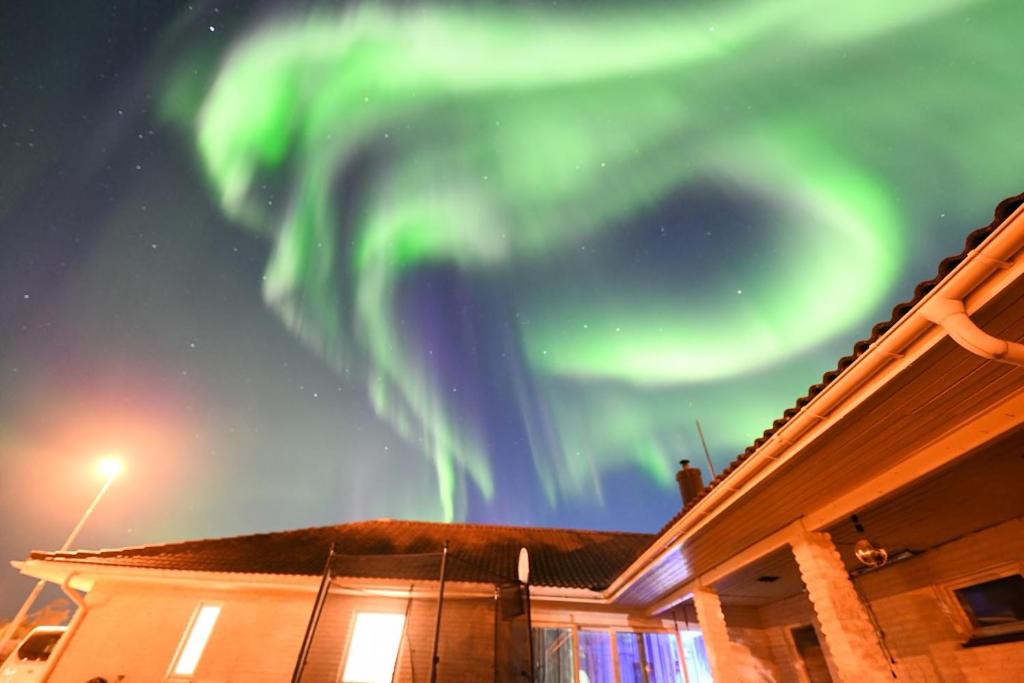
(394, 549)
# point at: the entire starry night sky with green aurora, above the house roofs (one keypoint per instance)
(309, 264)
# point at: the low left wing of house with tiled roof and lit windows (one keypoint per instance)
(257, 600)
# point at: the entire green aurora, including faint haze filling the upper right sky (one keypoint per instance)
(523, 146)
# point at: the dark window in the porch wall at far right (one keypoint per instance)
(996, 609)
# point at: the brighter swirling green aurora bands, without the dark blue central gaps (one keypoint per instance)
(490, 139)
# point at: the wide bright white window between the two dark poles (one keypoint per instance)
(373, 648)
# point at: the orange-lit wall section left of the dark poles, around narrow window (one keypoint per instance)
(133, 630)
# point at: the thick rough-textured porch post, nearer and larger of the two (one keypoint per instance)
(850, 639)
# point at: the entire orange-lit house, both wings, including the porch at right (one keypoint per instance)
(875, 532)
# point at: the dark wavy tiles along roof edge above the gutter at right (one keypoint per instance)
(973, 241)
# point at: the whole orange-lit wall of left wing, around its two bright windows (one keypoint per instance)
(134, 630)
